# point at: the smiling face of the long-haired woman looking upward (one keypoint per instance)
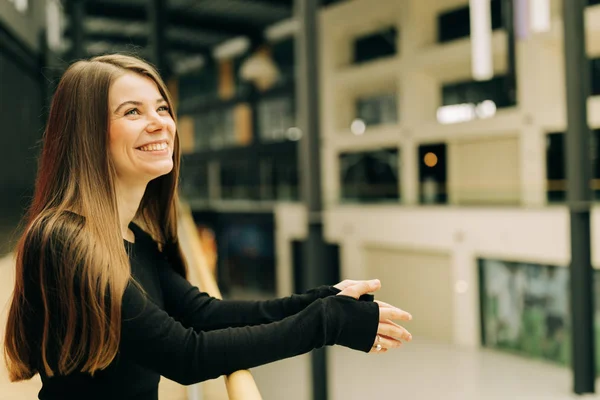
(141, 130)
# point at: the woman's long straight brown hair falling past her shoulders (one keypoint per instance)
(71, 255)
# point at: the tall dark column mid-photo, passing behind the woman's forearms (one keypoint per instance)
(307, 95)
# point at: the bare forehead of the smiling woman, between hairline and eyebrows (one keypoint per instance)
(134, 87)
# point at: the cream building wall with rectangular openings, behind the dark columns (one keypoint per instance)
(529, 231)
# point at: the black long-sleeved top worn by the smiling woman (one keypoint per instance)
(178, 332)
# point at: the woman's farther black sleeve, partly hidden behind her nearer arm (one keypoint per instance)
(202, 312)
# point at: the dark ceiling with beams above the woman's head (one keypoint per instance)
(193, 27)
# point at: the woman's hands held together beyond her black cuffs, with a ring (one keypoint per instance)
(389, 334)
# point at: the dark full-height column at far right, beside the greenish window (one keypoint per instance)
(579, 196)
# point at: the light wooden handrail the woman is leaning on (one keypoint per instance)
(240, 384)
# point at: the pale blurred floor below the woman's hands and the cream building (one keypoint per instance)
(423, 371)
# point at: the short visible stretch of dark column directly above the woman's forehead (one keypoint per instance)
(157, 24)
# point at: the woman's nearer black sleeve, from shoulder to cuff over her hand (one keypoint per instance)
(152, 338)
